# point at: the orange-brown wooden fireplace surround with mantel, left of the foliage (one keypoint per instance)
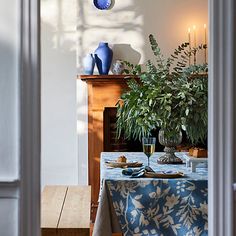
(103, 91)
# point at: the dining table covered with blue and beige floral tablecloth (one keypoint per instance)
(151, 206)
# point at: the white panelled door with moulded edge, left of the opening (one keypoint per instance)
(19, 118)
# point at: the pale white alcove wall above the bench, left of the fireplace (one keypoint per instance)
(59, 139)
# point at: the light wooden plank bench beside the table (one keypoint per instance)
(65, 211)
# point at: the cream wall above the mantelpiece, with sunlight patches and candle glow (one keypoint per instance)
(131, 22)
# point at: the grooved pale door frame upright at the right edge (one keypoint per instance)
(221, 122)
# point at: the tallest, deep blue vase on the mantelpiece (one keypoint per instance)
(103, 58)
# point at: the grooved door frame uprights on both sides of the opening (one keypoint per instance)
(221, 117)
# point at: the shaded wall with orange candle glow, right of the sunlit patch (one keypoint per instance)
(169, 21)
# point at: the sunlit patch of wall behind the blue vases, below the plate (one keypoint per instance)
(117, 26)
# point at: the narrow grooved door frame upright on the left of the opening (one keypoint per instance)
(30, 119)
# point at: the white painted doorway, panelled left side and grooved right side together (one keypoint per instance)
(20, 118)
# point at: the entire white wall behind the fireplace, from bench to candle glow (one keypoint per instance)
(70, 30)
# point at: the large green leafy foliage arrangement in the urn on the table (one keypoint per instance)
(170, 95)
